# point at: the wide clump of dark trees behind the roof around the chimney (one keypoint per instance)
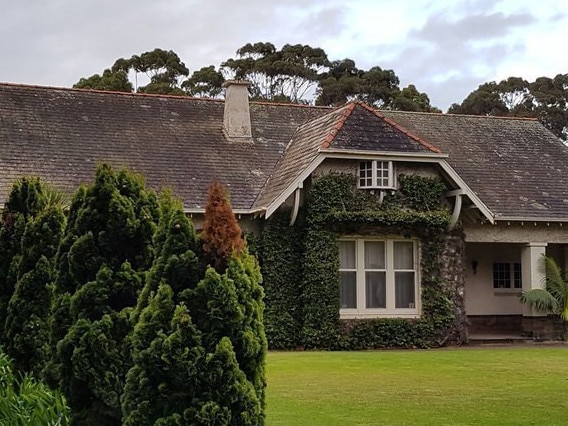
(297, 73)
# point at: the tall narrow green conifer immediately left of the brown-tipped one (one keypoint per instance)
(166, 348)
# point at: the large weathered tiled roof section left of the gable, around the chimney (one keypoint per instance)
(178, 142)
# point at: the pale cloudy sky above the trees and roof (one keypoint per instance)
(446, 48)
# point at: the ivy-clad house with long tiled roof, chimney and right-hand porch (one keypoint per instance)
(480, 200)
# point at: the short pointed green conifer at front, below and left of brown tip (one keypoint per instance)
(164, 382)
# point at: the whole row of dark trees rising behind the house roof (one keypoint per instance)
(301, 73)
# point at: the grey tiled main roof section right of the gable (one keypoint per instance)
(516, 167)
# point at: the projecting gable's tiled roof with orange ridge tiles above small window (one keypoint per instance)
(354, 127)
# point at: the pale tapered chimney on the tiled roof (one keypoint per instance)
(236, 119)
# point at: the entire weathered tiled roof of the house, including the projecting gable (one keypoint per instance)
(516, 167)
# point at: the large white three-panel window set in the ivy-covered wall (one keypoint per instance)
(378, 278)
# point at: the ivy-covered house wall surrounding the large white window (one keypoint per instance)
(301, 266)
